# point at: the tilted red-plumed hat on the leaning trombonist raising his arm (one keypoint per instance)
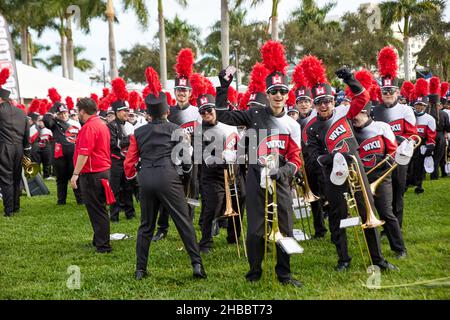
(315, 77)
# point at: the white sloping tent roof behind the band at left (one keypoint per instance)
(34, 83)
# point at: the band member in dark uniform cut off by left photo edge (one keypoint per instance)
(14, 144)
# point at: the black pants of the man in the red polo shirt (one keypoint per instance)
(95, 201)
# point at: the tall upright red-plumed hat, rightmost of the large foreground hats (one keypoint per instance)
(388, 67)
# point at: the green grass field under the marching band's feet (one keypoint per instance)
(38, 245)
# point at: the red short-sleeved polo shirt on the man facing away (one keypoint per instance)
(93, 141)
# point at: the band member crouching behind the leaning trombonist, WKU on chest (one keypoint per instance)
(376, 141)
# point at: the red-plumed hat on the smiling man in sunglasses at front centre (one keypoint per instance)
(274, 59)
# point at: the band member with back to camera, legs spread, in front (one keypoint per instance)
(159, 180)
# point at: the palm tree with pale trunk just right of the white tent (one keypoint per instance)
(141, 12)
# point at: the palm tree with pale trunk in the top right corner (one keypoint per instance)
(406, 10)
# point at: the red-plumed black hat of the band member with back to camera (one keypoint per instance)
(156, 100)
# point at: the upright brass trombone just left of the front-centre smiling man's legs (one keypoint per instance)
(230, 179)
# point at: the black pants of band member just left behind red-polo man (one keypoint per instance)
(64, 170)
